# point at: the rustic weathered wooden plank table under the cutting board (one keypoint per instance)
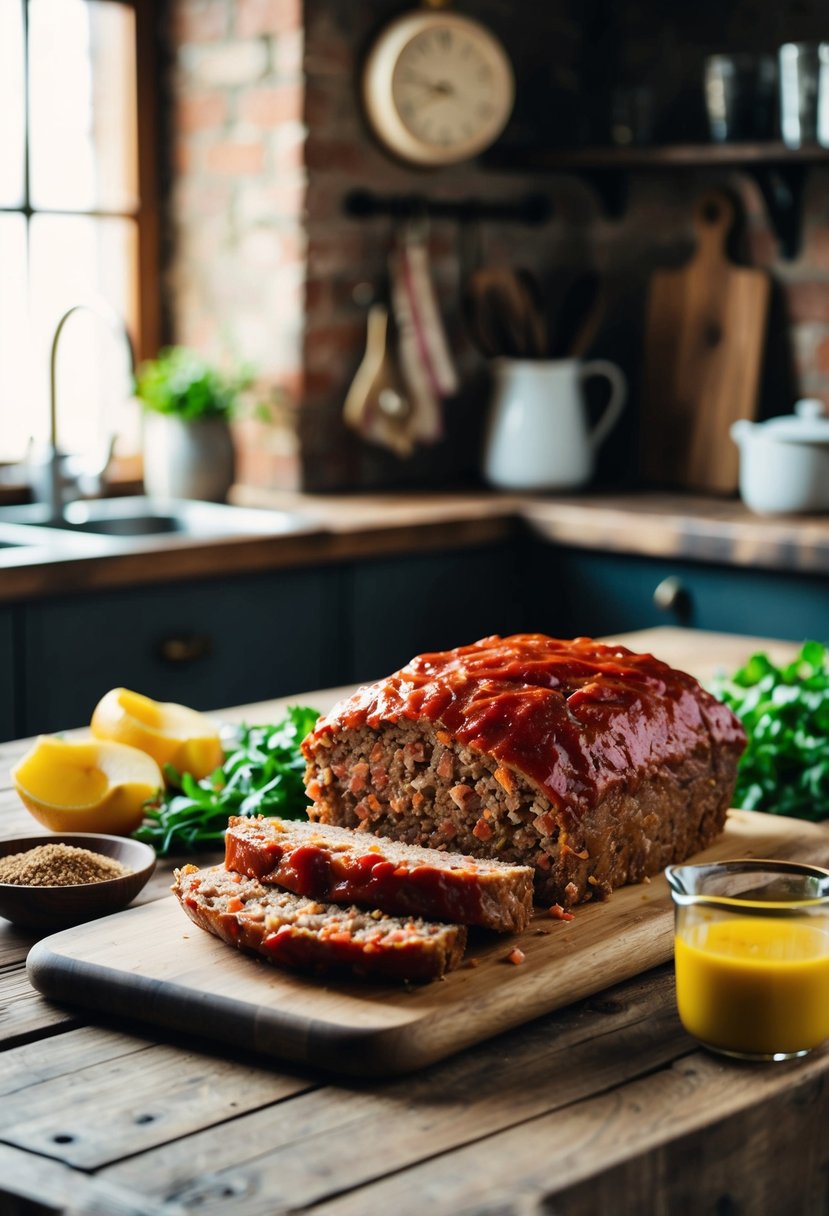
(605, 1106)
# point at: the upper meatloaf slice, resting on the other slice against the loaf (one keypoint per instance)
(348, 868)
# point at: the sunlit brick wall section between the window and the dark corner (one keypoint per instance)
(235, 280)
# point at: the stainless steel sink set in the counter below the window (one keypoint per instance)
(140, 517)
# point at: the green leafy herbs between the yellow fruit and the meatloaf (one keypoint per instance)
(261, 775)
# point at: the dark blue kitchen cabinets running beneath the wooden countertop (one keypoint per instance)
(212, 644)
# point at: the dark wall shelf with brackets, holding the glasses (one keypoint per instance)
(779, 172)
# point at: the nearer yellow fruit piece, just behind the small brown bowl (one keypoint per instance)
(87, 786)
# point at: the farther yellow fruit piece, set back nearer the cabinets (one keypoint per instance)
(167, 733)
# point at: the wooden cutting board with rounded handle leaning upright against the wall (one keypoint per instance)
(706, 329)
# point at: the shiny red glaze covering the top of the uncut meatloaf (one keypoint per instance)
(576, 718)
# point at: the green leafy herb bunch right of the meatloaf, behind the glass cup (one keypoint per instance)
(786, 713)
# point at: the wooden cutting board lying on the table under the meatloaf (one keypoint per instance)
(153, 964)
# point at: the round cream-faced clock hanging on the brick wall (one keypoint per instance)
(438, 88)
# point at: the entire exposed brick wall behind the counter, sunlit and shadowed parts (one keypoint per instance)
(269, 142)
